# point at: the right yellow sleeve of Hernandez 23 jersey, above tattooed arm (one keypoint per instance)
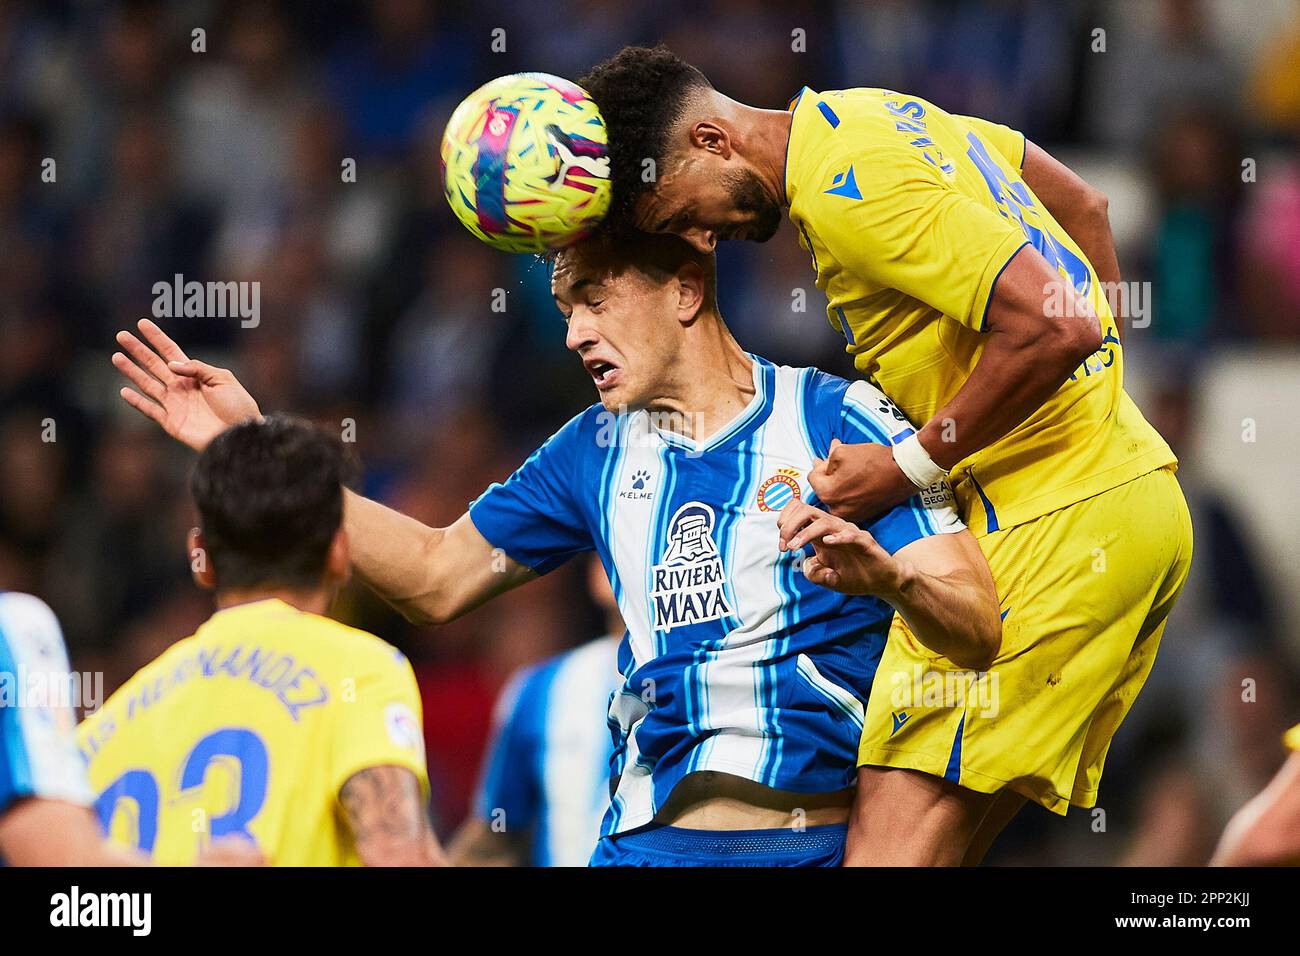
(380, 719)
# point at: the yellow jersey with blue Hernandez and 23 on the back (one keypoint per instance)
(253, 726)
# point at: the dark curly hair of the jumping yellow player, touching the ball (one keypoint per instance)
(642, 93)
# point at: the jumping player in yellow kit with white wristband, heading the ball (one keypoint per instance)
(967, 271)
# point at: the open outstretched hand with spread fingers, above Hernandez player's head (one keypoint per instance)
(192, 401)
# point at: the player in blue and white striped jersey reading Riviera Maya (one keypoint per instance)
(746, 668)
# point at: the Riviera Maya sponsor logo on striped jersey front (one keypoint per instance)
(690, 585)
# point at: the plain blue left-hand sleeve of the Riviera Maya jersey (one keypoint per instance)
(536, 516)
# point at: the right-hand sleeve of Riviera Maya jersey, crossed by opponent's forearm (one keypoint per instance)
(868, 416)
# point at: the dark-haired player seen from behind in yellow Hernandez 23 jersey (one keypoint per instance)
(271, 723)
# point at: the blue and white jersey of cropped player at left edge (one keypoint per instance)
(38, 743)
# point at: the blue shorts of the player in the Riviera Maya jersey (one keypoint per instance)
(671, 846)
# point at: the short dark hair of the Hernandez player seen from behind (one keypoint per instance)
(271, 500)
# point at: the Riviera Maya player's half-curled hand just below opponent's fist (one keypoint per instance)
(846, 557)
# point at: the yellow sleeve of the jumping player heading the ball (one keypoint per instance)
(915, 232)
